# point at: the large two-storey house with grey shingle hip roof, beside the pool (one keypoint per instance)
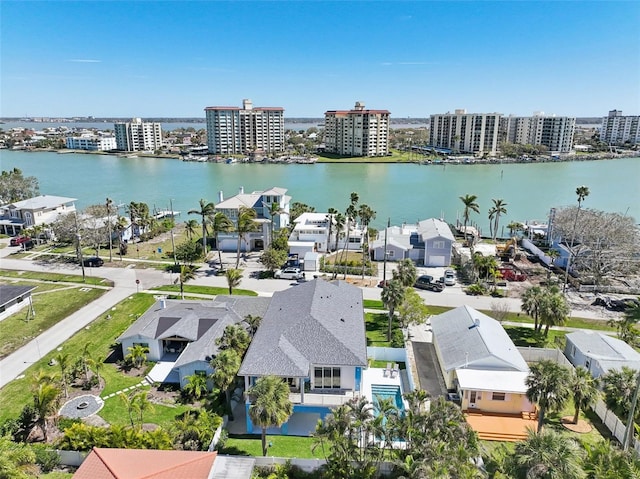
(313, 337)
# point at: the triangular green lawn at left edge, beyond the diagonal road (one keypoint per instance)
(52, 306)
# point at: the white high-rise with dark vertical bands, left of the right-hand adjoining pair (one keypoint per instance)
(464, 132)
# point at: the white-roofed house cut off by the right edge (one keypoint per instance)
(599, 353)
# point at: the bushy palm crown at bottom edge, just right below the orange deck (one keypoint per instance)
(548, 455)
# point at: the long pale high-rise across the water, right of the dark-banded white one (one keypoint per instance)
(554, 132)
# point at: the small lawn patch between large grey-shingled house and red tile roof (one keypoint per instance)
(281, 446)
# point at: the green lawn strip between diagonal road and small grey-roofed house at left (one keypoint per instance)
(99, 335)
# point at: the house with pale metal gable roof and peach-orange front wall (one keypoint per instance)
(480, 362)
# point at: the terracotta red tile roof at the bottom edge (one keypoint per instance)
(104, 463)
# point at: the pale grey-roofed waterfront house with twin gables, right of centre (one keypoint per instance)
(429, 242)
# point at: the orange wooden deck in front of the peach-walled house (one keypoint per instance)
(501, 427)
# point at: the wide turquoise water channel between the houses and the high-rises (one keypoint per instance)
(404, 193)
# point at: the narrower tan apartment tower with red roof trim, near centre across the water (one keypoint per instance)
(357, 132)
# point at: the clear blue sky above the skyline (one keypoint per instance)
(172, 59)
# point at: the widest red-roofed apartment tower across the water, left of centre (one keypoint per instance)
(235, 130)
